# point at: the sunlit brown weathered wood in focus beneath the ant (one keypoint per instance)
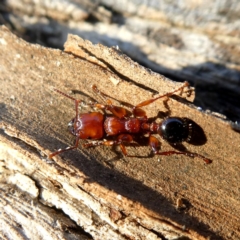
(98, 190)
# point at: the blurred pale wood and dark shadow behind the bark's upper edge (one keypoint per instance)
(193, 40)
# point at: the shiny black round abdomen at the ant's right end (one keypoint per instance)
(174, 130)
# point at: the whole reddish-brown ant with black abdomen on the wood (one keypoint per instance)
(119, 128)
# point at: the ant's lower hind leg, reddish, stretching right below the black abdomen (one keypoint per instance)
(155, 144)
